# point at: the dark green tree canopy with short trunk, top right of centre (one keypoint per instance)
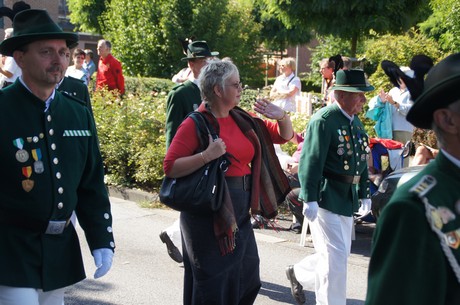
(350, 20)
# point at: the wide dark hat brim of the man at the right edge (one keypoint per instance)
(440, 96)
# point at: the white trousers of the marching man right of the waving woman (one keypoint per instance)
(326, 270)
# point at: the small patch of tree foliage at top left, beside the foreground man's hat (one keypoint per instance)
(84, 14)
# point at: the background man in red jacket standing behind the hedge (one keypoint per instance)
(109, 71)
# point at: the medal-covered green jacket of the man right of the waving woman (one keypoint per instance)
(332, 144)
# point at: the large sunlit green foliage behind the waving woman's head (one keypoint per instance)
(145, 34)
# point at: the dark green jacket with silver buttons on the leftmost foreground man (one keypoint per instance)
(70, 178)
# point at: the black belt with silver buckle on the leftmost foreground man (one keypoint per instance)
(53, 227)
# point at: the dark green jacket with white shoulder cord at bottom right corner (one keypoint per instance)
(408, 265)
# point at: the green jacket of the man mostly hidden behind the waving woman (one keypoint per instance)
(183, 99)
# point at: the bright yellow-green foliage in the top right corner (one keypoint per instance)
(444, 24)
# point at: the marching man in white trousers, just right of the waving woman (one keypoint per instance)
(333, 179)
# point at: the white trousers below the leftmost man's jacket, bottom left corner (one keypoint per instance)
(30, 296)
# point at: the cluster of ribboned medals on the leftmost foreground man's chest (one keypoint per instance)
(23, 156)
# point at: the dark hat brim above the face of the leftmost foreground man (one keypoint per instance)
(8, 46)
